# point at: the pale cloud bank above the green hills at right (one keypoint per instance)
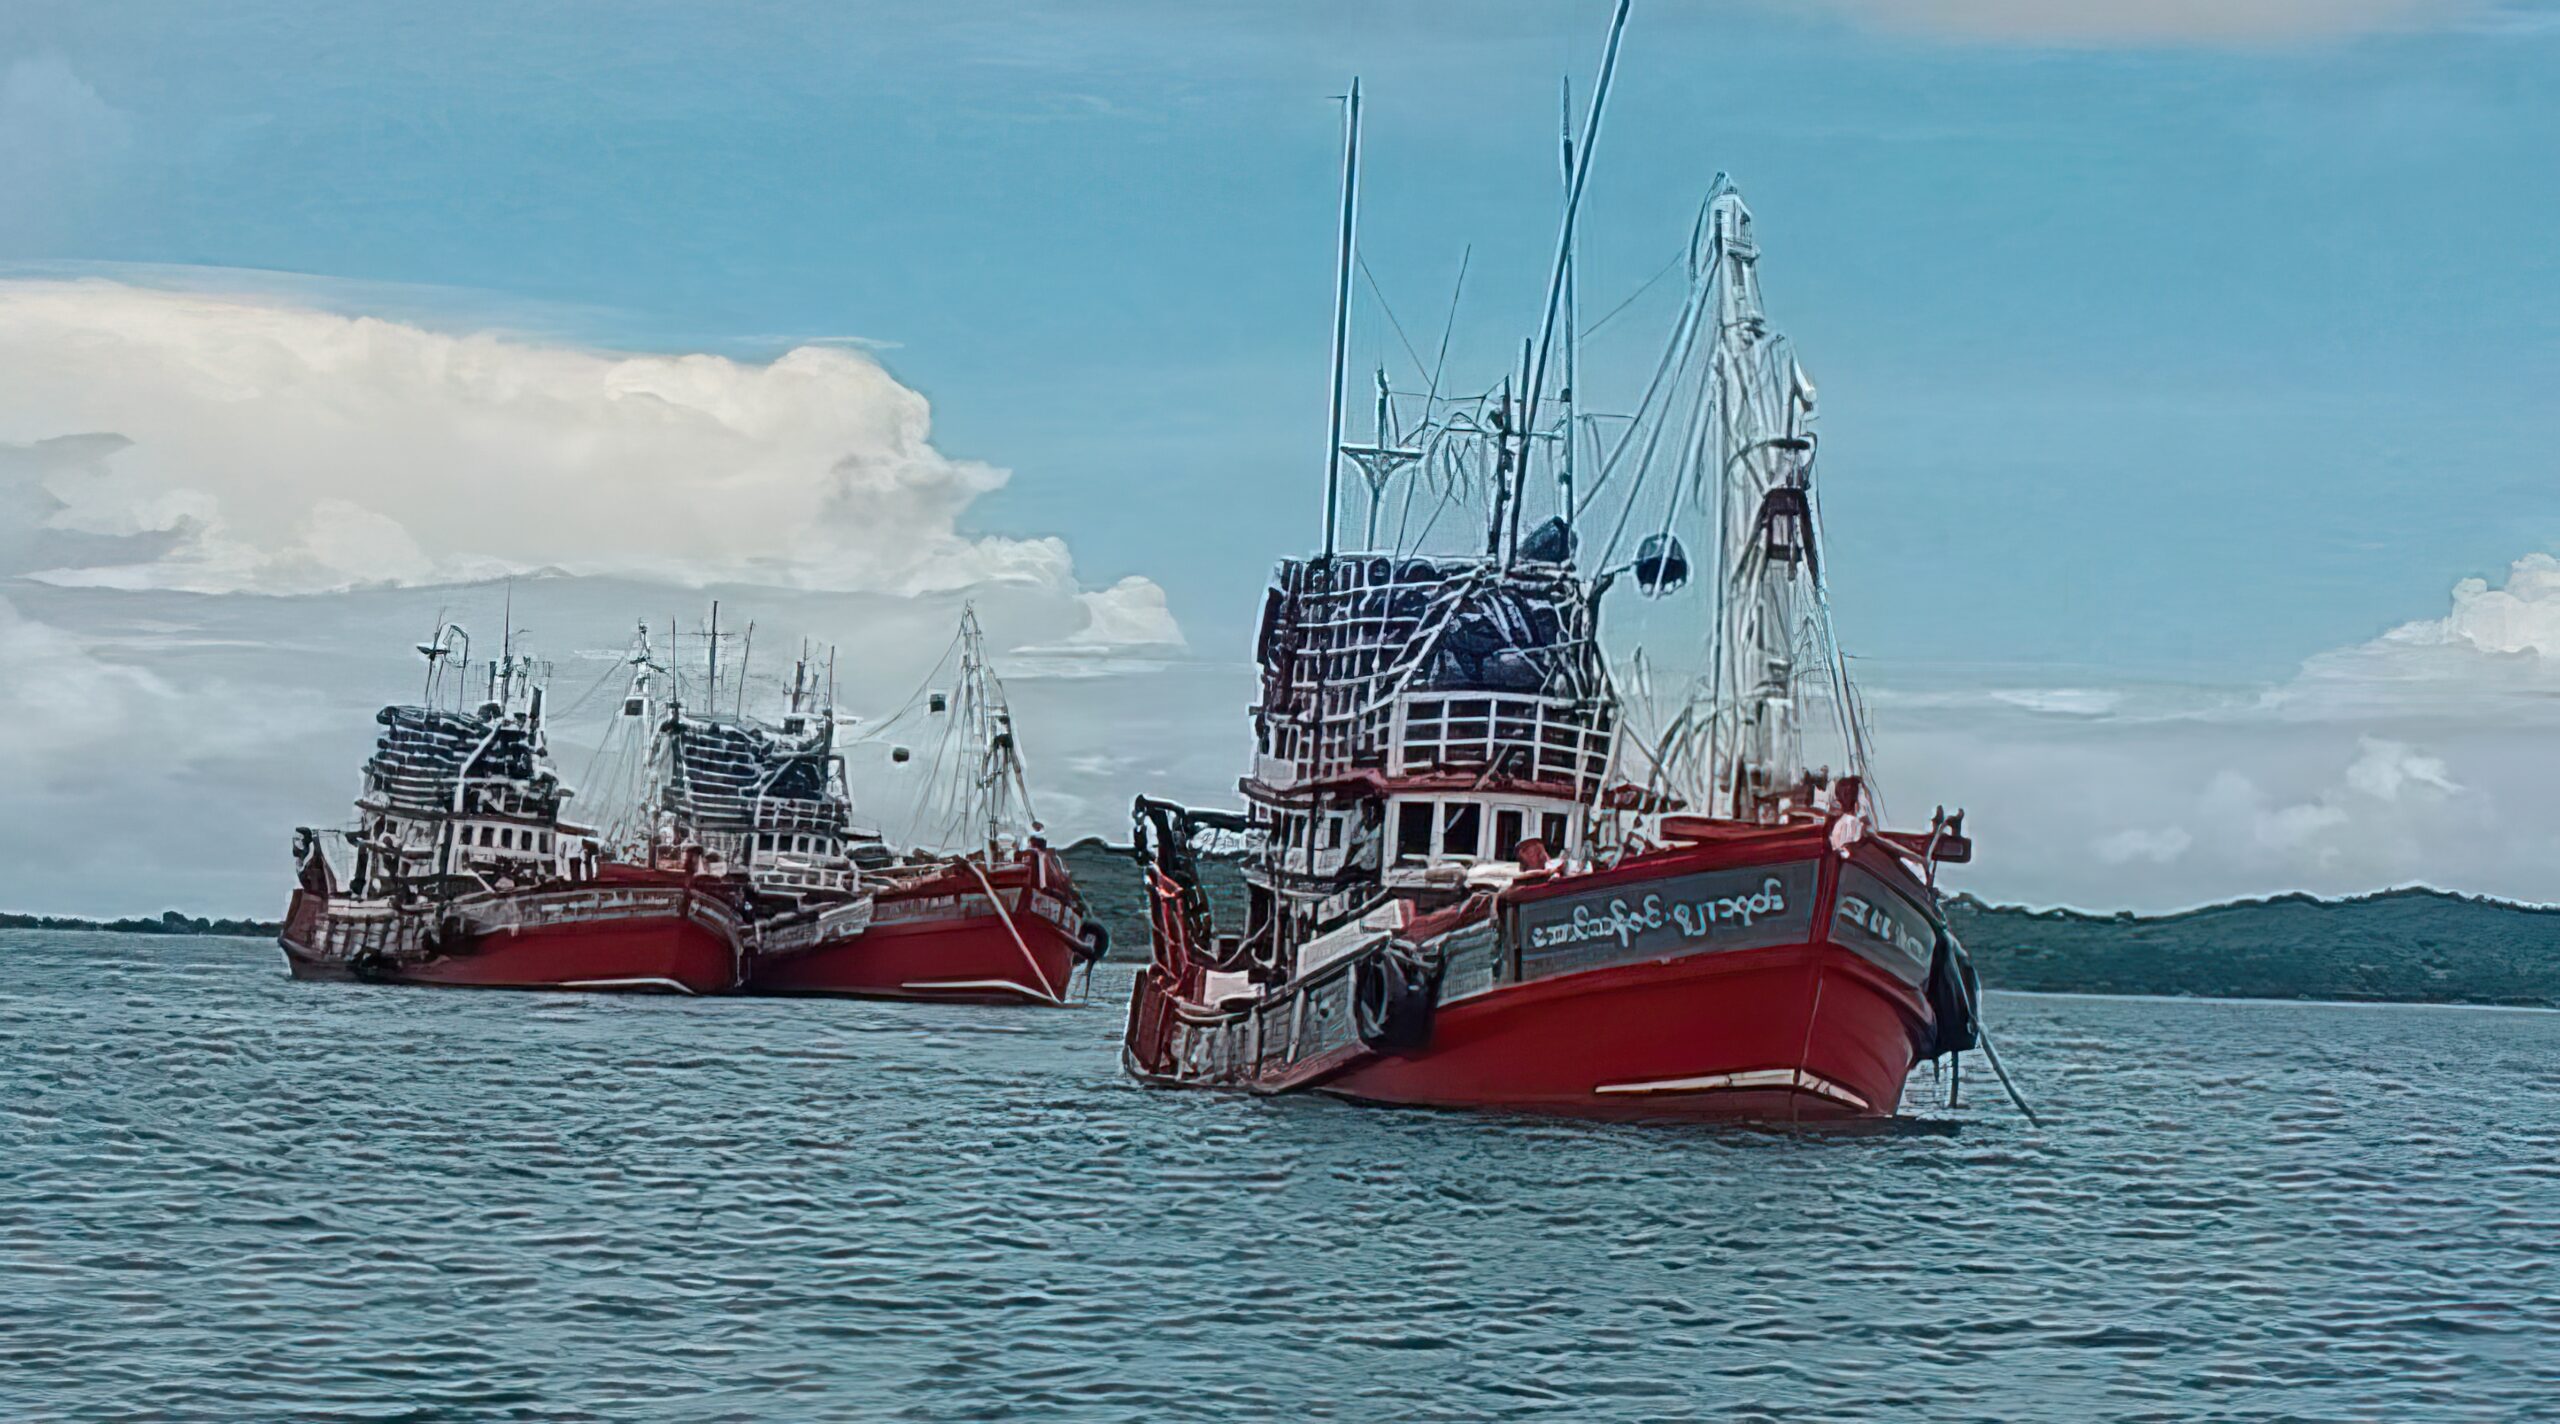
(2418, 757)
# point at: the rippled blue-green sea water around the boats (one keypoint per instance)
(237, 1197)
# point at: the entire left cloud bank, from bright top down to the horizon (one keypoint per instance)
(170, 462)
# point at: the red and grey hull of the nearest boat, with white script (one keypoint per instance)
(1809, 1018)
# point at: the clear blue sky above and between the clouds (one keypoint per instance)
(2162, 344)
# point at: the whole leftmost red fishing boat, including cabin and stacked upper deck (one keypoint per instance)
(462, 870)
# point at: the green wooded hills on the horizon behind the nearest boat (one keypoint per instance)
(2410, 946)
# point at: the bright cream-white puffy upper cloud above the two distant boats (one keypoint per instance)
(275, 447)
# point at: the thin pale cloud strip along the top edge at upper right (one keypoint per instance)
(2154, 22)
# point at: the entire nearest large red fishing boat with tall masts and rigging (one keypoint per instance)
(1486, 867)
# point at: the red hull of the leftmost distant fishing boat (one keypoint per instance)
(687, 944)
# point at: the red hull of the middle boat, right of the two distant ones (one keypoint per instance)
(946, 939)
